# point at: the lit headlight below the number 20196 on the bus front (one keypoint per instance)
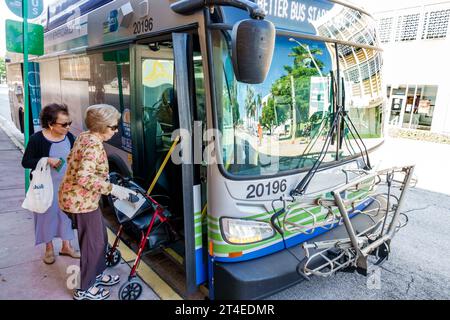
(240, 231)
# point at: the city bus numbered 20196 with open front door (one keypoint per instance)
(279, 103)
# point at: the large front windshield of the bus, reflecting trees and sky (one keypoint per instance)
(281, 125)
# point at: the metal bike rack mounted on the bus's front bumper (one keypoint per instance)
(352, 253)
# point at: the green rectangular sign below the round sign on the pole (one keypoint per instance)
(14, 37)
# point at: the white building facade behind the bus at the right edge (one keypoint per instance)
(416, 43)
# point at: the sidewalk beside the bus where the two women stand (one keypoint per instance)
(23, 274)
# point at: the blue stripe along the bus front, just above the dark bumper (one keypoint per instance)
(291, 242)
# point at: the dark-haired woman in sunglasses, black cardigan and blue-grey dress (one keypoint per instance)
(53, 142)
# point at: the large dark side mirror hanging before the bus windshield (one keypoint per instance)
(253, 42)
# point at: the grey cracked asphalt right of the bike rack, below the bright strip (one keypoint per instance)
(419, 267)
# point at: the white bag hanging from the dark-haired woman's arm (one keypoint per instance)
(39, 196)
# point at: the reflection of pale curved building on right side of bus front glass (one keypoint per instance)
(361, 68)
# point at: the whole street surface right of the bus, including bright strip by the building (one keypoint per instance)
(419, 267)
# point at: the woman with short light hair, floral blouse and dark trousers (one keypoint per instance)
(86, 179)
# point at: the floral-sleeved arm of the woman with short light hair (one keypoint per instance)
(87, 174)
